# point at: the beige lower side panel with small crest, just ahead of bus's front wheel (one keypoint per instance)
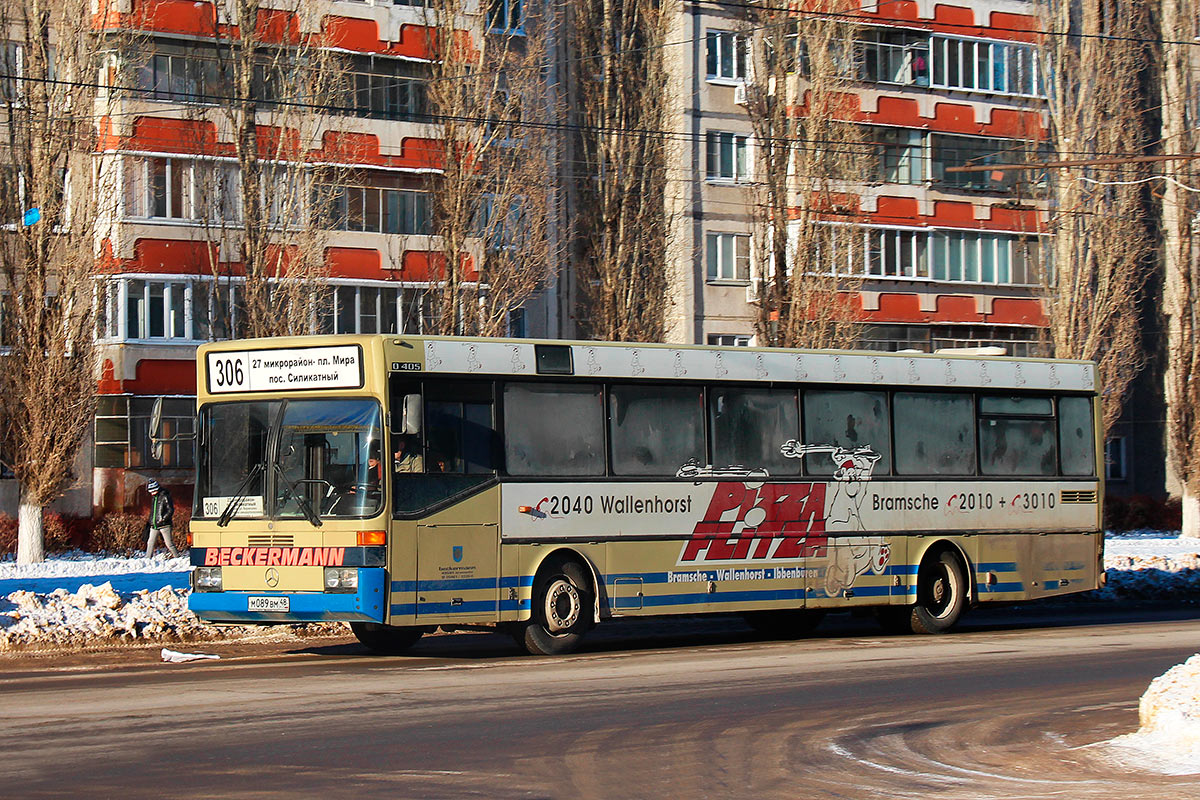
(458, 573)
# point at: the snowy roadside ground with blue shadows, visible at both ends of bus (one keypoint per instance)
(80, 599)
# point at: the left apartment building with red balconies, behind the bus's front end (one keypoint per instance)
(161, 296)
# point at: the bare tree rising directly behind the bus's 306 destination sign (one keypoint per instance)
(271, 83)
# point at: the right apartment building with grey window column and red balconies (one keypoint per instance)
(947, 257)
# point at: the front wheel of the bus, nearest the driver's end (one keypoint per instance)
(562, 610)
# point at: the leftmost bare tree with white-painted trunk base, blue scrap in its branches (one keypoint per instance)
(53, 210)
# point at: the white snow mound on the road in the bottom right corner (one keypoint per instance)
(1168, 739)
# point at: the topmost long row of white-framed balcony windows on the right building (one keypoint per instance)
(1001, 68)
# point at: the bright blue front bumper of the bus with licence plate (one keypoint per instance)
(368, 605)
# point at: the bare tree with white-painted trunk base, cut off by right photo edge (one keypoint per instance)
(1181, 225)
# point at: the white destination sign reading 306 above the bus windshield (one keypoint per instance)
(285, 370)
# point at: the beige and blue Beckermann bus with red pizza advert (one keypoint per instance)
(406, 484)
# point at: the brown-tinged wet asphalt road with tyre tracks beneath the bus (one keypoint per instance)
(1012, 706)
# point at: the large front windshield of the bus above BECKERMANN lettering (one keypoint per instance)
(291, 459)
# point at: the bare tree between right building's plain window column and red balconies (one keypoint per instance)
(801, 103)
